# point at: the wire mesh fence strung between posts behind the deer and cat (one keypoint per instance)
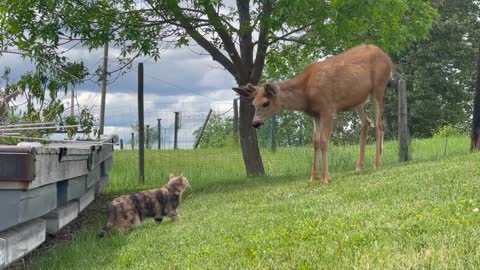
(284, 141)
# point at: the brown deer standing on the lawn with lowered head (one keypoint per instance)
(340, 83)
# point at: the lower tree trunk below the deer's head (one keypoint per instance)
(248, 140)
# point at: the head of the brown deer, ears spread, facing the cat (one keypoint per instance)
(265, 101)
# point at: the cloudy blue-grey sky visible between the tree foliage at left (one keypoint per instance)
(181, 80)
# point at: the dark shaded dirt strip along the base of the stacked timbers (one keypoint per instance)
(87, 217)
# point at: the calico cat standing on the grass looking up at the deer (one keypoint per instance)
(128, 211)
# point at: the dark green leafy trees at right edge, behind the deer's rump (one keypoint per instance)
(440, 71)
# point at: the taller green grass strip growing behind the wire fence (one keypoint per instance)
(207, 165)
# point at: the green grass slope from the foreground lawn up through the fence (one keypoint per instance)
(422, 214)
